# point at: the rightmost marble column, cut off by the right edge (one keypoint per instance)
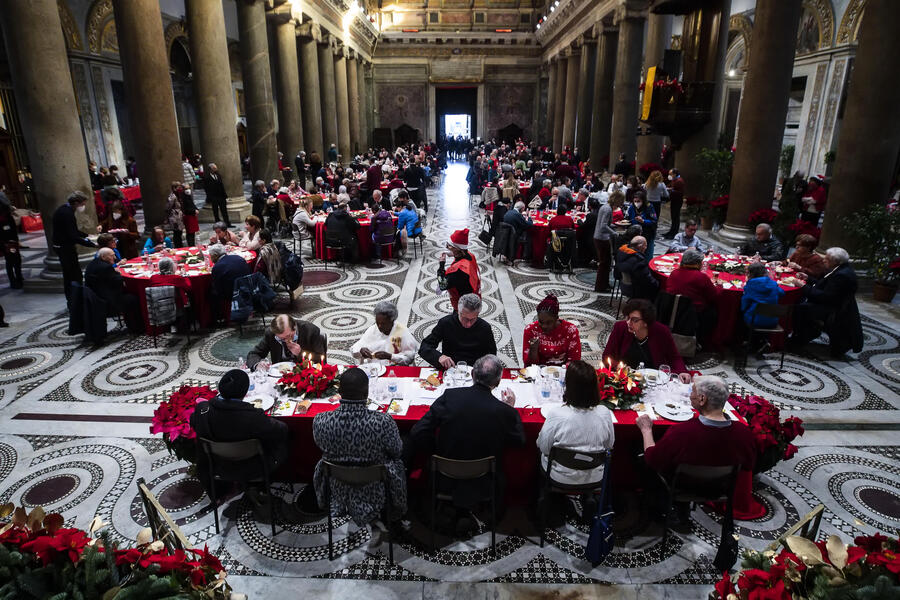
(870, 134)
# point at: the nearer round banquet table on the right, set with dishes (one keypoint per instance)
(731, 289)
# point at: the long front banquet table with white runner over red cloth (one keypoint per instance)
(520, 464)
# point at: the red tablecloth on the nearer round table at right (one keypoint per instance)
(728, 301)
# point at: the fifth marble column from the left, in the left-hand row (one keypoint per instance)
(287, 88)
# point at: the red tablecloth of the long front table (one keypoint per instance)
(520, 464)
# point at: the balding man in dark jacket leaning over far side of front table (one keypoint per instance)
(288, 339)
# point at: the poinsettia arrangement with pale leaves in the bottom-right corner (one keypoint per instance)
(818, 571)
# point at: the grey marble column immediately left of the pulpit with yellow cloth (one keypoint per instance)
(626, 92)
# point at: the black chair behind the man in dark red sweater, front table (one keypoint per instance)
(699, 483)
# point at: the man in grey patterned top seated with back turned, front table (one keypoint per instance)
(352, 435)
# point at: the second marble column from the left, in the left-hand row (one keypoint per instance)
(151, 106)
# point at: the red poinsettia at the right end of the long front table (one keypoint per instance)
(773, 436)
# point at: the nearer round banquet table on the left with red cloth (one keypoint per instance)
(137, 278)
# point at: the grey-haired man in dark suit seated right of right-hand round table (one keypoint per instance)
(830, 305)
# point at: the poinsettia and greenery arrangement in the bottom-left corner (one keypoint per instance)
(39, 558)
